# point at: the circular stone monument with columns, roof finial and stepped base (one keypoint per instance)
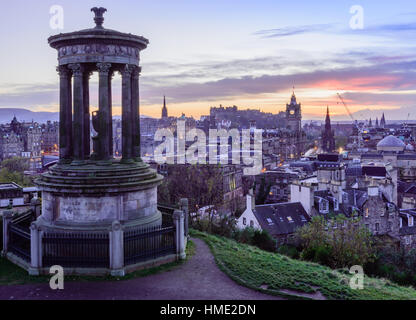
(88, 189)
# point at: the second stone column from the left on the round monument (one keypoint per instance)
(78, 123)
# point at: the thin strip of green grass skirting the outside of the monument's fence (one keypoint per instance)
(11, 274)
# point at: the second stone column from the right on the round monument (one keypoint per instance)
(127, 133)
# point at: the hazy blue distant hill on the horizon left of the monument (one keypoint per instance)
(7, 114)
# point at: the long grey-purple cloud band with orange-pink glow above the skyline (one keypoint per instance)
(398, 75)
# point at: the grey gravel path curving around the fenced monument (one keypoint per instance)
(197, 279)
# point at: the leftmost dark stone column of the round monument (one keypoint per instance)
(65, 115)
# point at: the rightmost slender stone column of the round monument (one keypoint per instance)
(135, 110)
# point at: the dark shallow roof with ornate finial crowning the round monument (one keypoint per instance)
(98, 33)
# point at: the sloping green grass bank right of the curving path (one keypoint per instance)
(256, 268)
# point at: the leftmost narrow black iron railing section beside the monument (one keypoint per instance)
(19, 240)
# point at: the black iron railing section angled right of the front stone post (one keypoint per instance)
(151, 243)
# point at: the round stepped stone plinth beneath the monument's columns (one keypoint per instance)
(98, 195)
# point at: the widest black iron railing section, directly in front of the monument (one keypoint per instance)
(82, 250)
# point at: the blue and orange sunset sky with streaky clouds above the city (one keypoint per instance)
(229, 52)
